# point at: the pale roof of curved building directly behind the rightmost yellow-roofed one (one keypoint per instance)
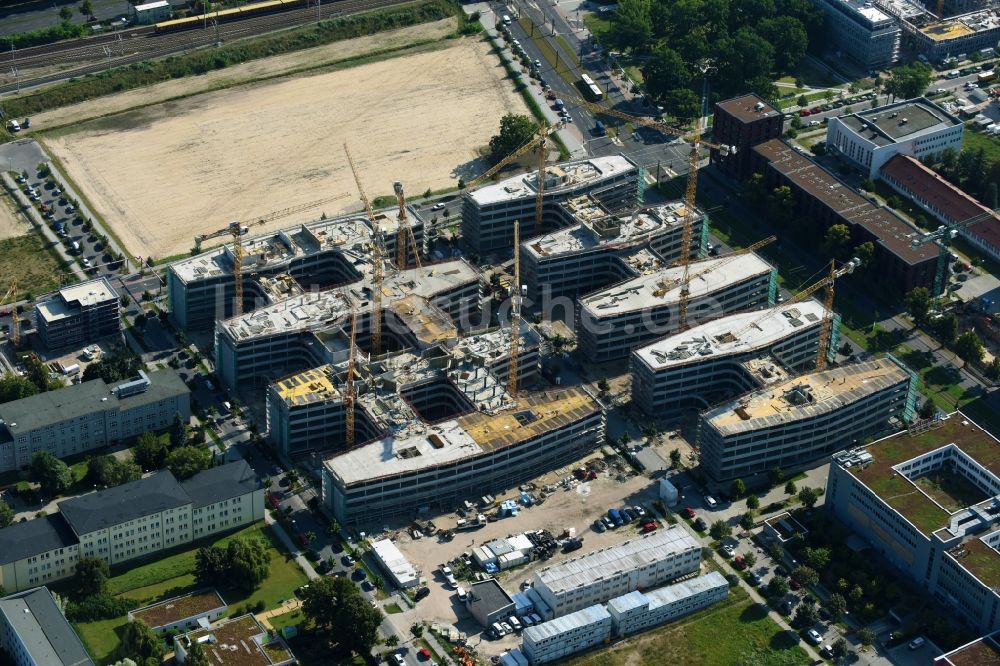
(718, 337)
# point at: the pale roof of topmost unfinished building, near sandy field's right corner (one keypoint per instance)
(558, 177)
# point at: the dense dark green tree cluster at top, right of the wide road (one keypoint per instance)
(747, 42)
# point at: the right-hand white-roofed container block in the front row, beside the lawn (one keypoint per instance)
(636, 611)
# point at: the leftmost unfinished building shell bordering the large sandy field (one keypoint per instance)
(313, 256)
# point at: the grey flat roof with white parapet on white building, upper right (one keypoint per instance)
(900, 121)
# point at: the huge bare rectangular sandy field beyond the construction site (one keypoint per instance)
(161, 174)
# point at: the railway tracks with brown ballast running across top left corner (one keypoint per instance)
(126, 47)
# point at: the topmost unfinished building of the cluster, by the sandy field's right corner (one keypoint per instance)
(489, 212)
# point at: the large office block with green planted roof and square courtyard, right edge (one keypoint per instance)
(889, 494)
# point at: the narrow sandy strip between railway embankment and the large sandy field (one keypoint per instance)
(245, 73)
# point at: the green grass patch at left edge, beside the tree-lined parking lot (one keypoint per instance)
(33, 263)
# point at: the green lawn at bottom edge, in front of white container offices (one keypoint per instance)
(735, 631)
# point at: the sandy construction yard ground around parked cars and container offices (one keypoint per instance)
(576, 508)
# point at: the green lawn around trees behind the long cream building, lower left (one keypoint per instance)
(174, 575)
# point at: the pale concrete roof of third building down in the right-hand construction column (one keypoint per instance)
(657, 289)
